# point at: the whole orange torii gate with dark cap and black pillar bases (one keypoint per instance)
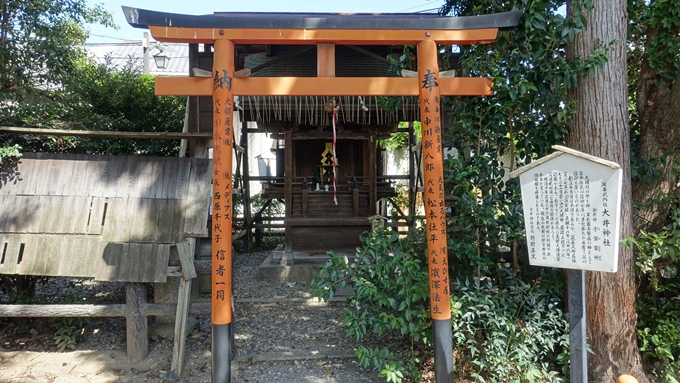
(223, 30)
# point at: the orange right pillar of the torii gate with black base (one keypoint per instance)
(435, 213)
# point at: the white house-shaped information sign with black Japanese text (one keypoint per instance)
(572, 209)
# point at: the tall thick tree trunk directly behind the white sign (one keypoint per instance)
(600, 128)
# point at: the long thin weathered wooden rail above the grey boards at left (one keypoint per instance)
(103, 134)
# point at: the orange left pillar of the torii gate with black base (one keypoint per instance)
(223, 125)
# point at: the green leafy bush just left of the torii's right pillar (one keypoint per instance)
(391, 296)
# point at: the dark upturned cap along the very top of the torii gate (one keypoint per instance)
(142, 18)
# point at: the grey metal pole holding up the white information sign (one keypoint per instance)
(578, 354)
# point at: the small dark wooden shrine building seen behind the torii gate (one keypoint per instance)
(322, 212)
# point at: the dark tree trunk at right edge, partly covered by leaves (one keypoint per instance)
(658, 107)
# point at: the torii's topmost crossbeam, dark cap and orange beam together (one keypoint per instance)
(305, 28)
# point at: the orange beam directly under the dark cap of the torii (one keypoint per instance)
(313, 36)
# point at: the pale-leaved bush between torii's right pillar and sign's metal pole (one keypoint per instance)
(509, 330)
